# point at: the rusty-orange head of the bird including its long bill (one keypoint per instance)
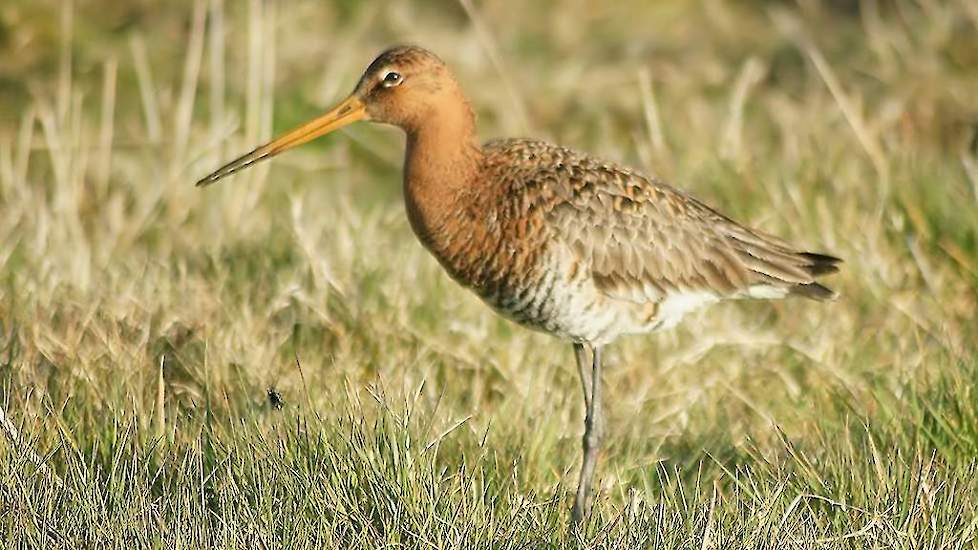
(403, 86)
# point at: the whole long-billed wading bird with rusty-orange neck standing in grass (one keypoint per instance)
(553, 239)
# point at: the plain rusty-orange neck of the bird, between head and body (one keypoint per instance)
(441, 172)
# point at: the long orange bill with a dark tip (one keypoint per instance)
(350, 110)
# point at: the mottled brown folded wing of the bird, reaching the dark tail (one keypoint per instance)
(643, 239)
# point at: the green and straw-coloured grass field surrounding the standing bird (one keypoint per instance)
(276, 362)
